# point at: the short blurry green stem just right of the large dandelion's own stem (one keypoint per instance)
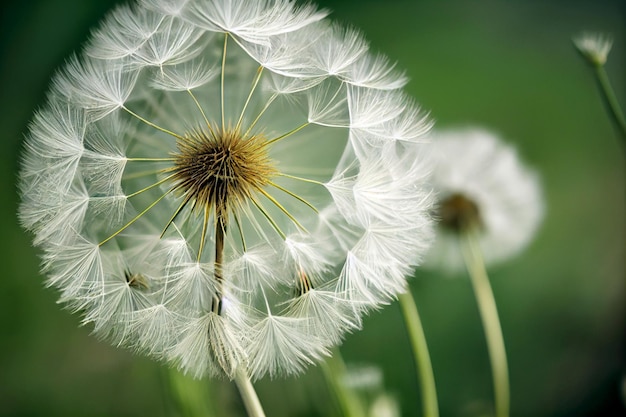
(334, 370)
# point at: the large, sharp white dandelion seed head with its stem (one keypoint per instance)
(220, 184)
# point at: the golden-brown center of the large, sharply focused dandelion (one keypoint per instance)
(220, 170)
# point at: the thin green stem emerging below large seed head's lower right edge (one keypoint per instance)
(420, 354)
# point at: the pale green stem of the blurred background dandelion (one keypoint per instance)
(491, 322)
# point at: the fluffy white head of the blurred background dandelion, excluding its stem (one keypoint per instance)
(482, 185)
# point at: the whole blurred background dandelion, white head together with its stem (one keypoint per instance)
(489, 206)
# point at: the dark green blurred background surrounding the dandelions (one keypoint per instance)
(505, 65)
